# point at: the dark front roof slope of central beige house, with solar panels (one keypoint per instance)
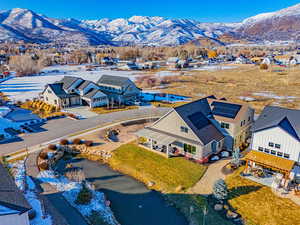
(196, 115)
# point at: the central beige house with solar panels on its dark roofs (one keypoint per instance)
(197, 129)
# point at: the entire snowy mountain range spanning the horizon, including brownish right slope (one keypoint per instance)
(24, 24)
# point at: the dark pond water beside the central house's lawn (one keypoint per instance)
(131, 201)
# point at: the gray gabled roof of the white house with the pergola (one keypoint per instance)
(272, 116)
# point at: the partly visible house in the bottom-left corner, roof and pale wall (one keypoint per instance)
(14, 208)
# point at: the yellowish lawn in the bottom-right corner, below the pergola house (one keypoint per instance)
(258, 203)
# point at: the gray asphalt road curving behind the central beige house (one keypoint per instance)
(58, 128)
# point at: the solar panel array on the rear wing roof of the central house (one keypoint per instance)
(225, 109)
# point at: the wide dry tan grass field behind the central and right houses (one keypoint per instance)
(243, 81)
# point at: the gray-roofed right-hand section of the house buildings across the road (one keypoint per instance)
(119, 89)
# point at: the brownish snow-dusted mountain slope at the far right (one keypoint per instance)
(273, 26)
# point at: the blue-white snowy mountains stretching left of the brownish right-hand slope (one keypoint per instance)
(24, 24)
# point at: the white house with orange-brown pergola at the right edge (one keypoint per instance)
(275, 141)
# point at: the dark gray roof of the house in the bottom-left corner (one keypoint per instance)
(10, 196)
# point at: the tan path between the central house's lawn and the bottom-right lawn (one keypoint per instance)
(213, 173)
